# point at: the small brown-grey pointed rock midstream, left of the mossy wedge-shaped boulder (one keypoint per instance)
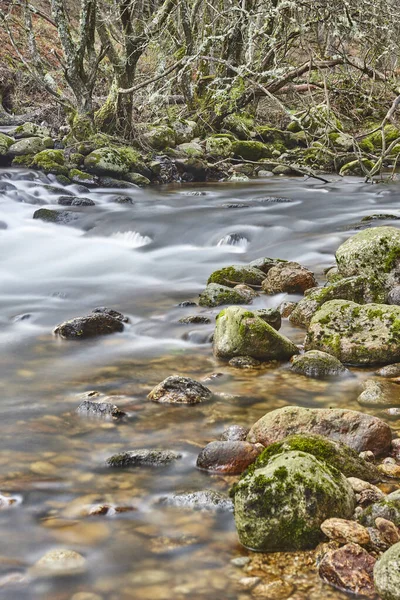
(180, 390)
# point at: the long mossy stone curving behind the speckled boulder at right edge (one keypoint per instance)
(359, 289)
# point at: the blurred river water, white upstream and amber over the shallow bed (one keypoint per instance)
(143, 258)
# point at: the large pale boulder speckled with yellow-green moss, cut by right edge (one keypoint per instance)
(356, 335)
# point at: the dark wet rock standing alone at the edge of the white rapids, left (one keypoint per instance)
(95, 324)
